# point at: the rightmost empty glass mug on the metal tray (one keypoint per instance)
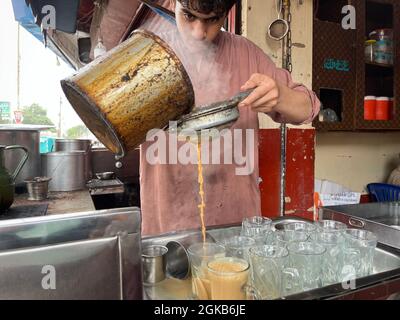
(359, 251)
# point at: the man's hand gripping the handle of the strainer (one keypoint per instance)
(266, 95)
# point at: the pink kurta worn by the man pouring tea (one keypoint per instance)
(169, 193)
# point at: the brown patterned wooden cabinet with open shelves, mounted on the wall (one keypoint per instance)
(342, 76)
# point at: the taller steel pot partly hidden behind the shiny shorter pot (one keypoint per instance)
(68, 145)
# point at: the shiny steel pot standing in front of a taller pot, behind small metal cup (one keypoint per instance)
(67, 170)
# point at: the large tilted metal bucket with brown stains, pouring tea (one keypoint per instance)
(137, 86)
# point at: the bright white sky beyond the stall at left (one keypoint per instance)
(39, 73)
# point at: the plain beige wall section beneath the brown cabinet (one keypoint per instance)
(355, 159)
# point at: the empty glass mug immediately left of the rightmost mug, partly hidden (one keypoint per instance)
(332, 264)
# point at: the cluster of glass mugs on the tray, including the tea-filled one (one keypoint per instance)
(265, 263)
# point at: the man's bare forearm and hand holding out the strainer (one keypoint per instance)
(271, 97)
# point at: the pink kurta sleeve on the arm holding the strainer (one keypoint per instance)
(266, 66)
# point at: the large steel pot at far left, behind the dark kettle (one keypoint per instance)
(27, 136)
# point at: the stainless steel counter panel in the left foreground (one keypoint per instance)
(91, 255)
